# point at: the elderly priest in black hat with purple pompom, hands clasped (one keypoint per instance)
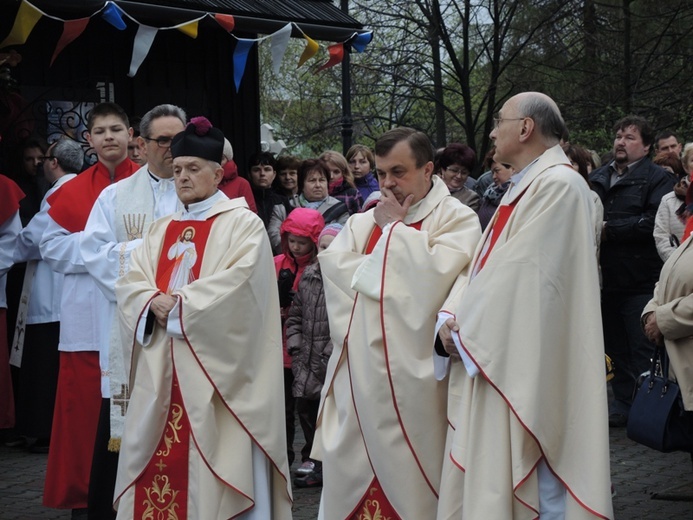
(204, 434)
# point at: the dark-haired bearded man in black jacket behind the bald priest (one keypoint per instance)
(630, 188)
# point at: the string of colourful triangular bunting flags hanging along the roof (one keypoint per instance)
(28, 16)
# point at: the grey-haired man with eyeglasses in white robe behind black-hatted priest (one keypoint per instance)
(120, 217)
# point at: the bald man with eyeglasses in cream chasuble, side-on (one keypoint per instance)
(526, 365)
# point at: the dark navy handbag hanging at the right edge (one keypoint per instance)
(657, 418)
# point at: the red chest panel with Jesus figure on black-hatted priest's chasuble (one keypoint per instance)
(181, 255)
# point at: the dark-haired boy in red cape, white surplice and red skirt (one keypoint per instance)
(78, 398)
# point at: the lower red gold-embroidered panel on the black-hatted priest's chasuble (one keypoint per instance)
(161, 491)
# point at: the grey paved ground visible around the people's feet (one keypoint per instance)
(638, 474)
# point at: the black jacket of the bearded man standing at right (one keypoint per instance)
(629, 259)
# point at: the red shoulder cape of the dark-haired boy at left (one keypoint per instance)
(72, 203)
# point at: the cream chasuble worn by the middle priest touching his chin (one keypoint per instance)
(382, 412)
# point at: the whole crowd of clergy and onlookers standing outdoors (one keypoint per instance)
(440, 338)
